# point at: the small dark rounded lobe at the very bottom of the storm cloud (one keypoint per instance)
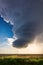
(20, 43)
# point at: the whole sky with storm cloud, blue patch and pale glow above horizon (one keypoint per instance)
(21, 26)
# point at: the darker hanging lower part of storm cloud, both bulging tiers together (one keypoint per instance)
(25, 34)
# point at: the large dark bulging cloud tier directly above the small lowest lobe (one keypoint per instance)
(26, 31)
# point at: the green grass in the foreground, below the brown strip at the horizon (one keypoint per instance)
(6, 60)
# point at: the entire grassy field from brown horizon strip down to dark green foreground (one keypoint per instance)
(21, 59)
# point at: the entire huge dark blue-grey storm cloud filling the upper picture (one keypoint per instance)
(26, 16)
